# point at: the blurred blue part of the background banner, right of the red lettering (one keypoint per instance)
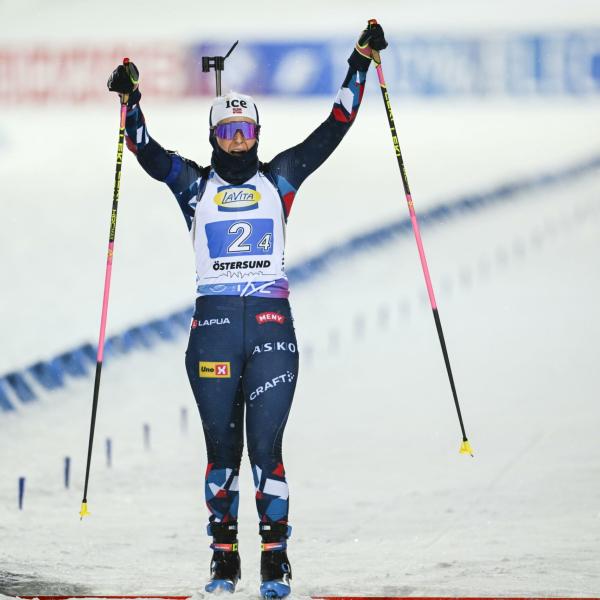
(561, 63)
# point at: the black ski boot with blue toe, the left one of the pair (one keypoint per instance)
(225, 568)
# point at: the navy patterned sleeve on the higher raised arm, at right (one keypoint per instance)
(291, 167)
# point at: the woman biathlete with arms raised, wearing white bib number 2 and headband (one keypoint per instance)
(242, 354)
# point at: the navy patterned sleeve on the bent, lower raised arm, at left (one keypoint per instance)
(183, 176)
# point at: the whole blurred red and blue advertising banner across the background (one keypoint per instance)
(537, 64)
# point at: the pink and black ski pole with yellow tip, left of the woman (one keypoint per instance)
(111, 244)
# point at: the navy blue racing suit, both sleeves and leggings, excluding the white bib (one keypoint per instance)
(242, 356)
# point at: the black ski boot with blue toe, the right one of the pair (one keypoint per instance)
(275, 569)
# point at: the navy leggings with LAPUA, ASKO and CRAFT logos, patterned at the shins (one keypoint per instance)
(242, 357)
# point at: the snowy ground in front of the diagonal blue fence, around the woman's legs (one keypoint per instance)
(379, 492)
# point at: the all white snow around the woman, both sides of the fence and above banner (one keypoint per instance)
(381, 501)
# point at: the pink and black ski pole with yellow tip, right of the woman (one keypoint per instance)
(465, 447)
